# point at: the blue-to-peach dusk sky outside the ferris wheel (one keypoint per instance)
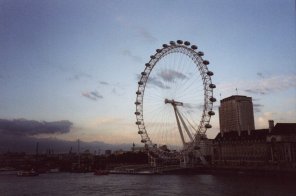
(71, 67)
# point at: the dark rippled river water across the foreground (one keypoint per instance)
(89, 184)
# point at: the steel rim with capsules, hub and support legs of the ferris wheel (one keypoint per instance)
(184, 48)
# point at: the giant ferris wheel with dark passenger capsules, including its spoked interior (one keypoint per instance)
(174, 100)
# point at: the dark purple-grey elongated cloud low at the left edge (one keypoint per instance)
(23, 127)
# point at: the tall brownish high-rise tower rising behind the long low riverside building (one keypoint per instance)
(236, 114)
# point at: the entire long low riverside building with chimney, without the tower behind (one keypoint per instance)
(273, 147)
